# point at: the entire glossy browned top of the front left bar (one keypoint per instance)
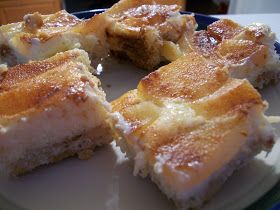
(39, 85)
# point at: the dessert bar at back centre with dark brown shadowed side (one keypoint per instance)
(145, 32)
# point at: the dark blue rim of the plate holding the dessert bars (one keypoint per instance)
(270, 200)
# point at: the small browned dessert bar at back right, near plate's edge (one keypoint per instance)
(248, 52)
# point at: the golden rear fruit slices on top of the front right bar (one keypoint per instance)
(194, 82)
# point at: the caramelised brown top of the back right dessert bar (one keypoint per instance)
(219, 44)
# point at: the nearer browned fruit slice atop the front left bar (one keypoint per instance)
(40, 92)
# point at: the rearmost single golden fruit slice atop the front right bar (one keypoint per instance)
(188, 78)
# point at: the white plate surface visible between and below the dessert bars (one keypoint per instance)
(105, 182)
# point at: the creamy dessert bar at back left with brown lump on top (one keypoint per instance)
(41, 36)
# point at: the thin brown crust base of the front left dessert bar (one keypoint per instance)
(81, 145)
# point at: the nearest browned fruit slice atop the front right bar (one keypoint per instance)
(199, 152)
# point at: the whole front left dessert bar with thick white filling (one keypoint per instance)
(50, 110)
